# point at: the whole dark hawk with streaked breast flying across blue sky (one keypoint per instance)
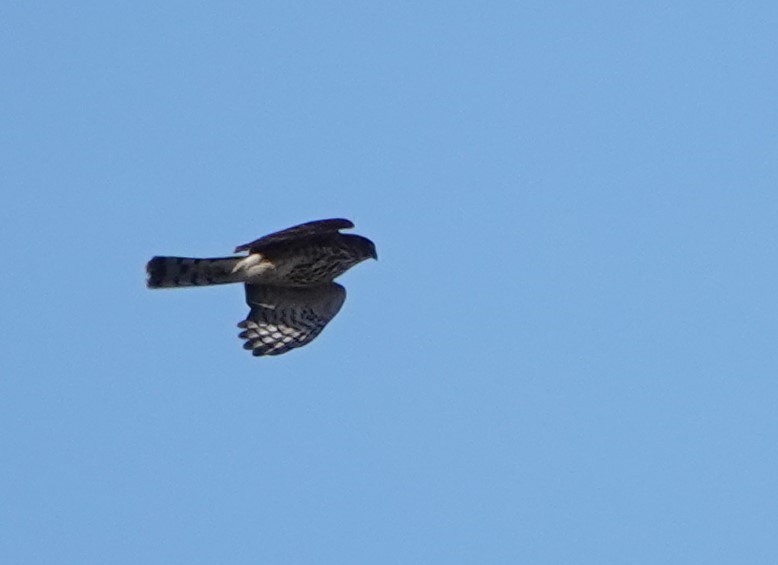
(288, 276)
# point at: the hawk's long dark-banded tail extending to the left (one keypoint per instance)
(168, 272)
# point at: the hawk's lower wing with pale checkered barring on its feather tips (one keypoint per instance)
(282, 318)
